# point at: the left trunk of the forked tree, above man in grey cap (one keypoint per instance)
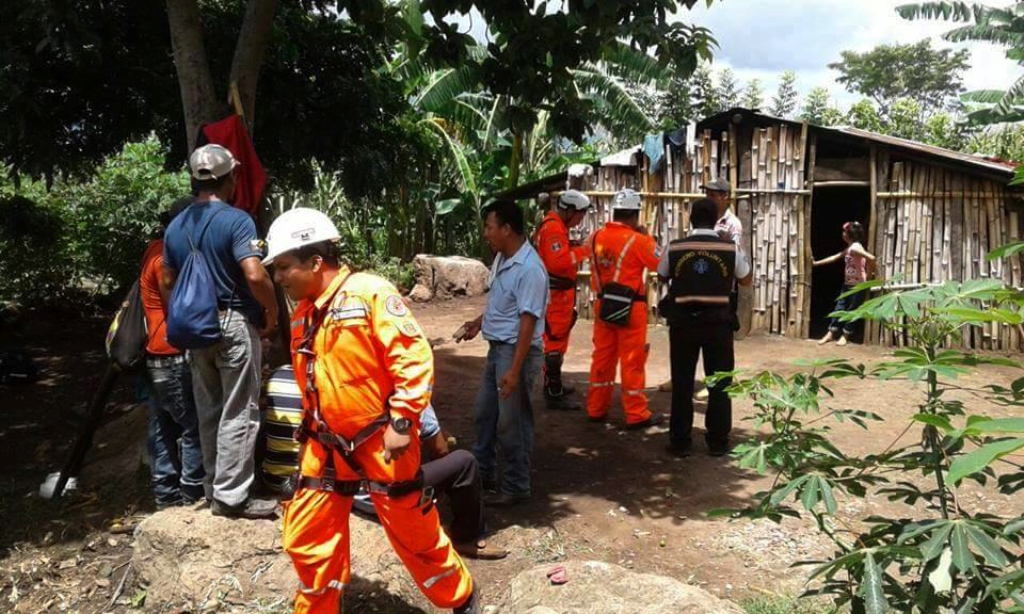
(198, 96)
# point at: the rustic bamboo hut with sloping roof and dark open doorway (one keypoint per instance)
(932, 215)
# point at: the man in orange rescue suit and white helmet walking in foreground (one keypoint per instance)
(366, 372)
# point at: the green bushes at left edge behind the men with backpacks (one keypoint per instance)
(57, 242)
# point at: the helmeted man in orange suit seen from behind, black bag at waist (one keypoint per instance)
(622, 253)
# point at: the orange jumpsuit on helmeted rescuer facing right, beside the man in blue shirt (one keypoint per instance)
(563, 261)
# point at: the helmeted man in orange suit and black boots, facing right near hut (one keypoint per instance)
(563, 260)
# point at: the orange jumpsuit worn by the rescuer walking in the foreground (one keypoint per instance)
(370, 355)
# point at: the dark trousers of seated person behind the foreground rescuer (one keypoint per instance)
(458, 477)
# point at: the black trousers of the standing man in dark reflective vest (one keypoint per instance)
(687, 345)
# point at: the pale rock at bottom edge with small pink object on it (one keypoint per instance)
(604, 589)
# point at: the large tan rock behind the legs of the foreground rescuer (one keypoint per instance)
(189, 559)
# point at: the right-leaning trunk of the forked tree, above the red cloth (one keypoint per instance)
(253, 40)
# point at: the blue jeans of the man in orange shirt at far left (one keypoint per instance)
(178, 477)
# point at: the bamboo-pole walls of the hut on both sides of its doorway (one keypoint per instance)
(928, 225)
